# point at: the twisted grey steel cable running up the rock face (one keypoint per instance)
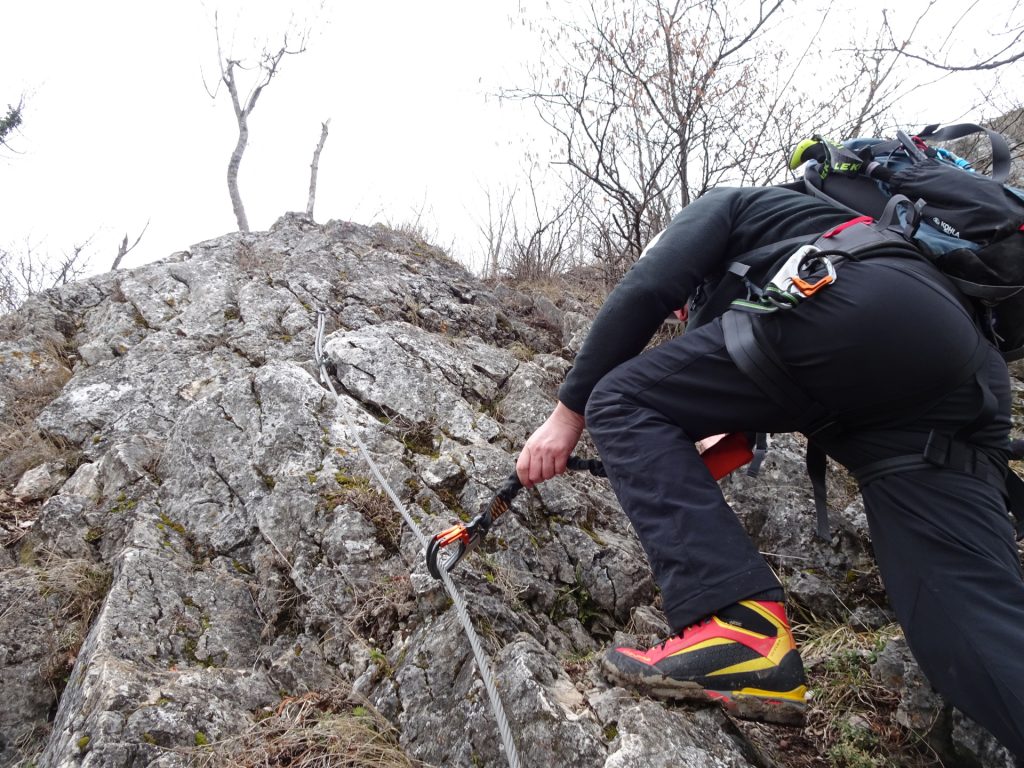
(483, 664)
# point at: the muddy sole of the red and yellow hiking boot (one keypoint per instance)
(763, 707)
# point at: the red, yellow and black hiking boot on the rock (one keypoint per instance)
(744, 658)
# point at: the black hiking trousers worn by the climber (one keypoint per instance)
(876, 343)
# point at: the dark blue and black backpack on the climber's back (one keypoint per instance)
(969, 225)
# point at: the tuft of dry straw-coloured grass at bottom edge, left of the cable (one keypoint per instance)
(323, 730)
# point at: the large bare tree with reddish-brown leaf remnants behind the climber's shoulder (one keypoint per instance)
(651, 105)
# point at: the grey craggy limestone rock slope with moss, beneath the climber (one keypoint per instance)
(198, 568)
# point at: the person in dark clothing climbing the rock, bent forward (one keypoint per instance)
(889, 361)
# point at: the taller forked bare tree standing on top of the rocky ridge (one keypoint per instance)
(266, 70)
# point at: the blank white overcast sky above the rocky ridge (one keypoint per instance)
(119, 130)
